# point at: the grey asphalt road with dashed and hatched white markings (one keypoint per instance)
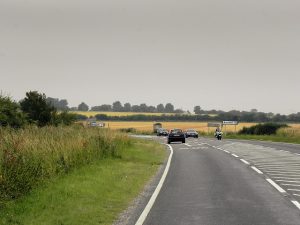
(212, 183)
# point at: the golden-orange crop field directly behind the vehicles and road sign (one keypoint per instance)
(148, 126)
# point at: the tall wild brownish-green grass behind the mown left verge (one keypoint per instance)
(29, 156)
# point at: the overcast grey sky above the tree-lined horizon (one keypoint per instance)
(221, 54)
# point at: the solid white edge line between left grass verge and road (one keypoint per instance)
(148, 207)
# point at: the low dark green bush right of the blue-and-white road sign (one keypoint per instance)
(262, 129)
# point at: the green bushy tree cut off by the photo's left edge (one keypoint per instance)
(10, 113)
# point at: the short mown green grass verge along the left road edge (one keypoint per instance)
(92, 194)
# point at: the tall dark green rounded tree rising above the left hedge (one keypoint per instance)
(36, 108)
